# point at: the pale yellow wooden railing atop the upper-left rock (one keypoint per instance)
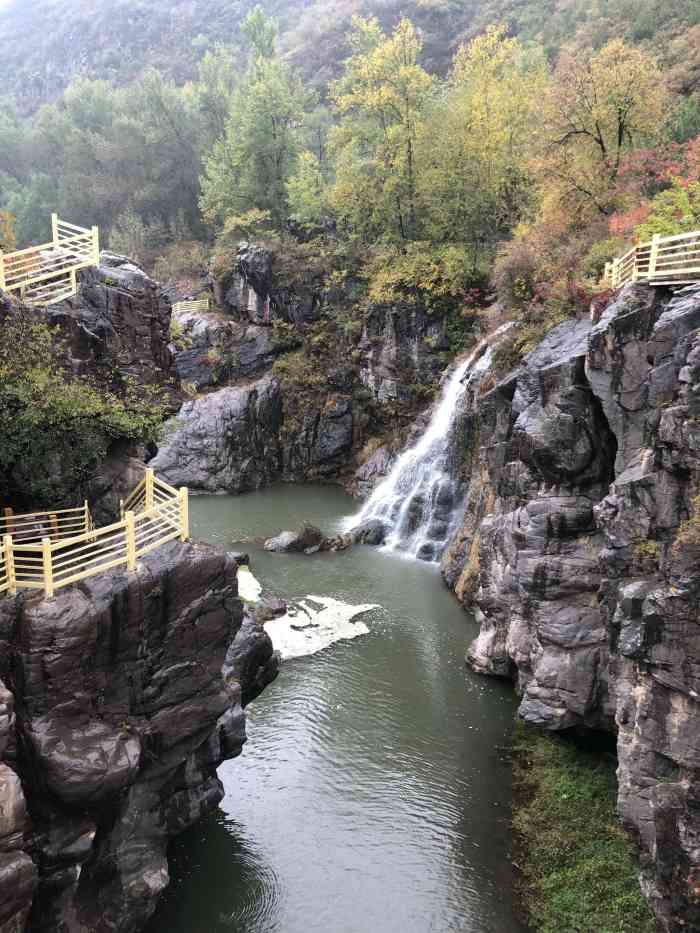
(46, 273)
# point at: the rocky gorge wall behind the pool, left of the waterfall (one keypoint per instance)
(251, 422)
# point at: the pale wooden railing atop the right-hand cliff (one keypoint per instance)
(664, 260)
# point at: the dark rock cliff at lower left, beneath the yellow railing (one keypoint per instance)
(129, 693)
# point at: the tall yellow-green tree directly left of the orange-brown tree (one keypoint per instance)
(476, 144)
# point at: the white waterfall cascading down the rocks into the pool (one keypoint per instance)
(418, 498)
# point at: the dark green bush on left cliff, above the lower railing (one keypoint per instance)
(56, 428)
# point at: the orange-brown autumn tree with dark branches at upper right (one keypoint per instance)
(599, 107)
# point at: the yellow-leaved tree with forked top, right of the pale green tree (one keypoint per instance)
(380, 100)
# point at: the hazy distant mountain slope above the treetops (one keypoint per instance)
(47, 43)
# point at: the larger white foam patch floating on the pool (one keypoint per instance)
(314, 624)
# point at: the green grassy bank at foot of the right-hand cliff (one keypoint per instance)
(579, 870)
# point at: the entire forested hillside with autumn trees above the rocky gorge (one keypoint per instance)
(429, 158)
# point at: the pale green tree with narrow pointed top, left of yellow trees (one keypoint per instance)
(250, 166)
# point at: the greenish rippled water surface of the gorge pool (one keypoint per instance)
(372, 796)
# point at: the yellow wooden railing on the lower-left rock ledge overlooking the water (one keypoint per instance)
(49, 550)
